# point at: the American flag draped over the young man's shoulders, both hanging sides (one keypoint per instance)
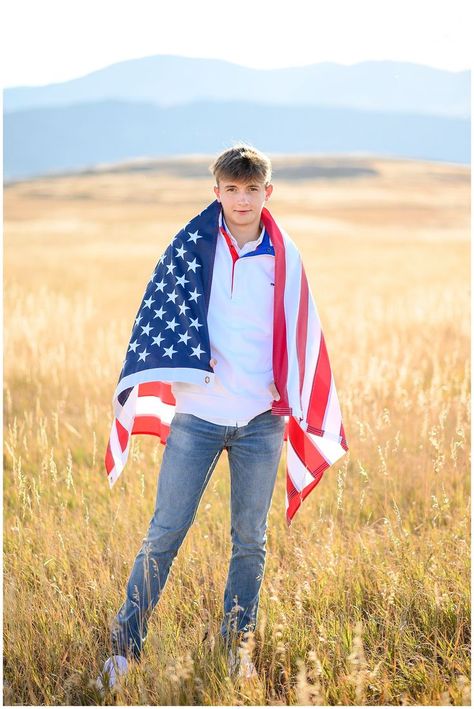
(170, 342)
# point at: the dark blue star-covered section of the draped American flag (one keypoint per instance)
(170, 330)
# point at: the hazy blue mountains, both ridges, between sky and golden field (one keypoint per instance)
(165, 105)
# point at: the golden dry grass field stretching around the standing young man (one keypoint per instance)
(366, 598)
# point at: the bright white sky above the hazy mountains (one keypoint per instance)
(45, 41)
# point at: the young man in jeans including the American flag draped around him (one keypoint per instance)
(234, 374)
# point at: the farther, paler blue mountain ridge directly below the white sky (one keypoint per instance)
(168, 80)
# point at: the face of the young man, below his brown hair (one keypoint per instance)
(242, 202)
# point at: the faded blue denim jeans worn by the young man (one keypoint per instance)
(191, 453)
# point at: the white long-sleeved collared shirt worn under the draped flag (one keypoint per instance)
(240, 322)
